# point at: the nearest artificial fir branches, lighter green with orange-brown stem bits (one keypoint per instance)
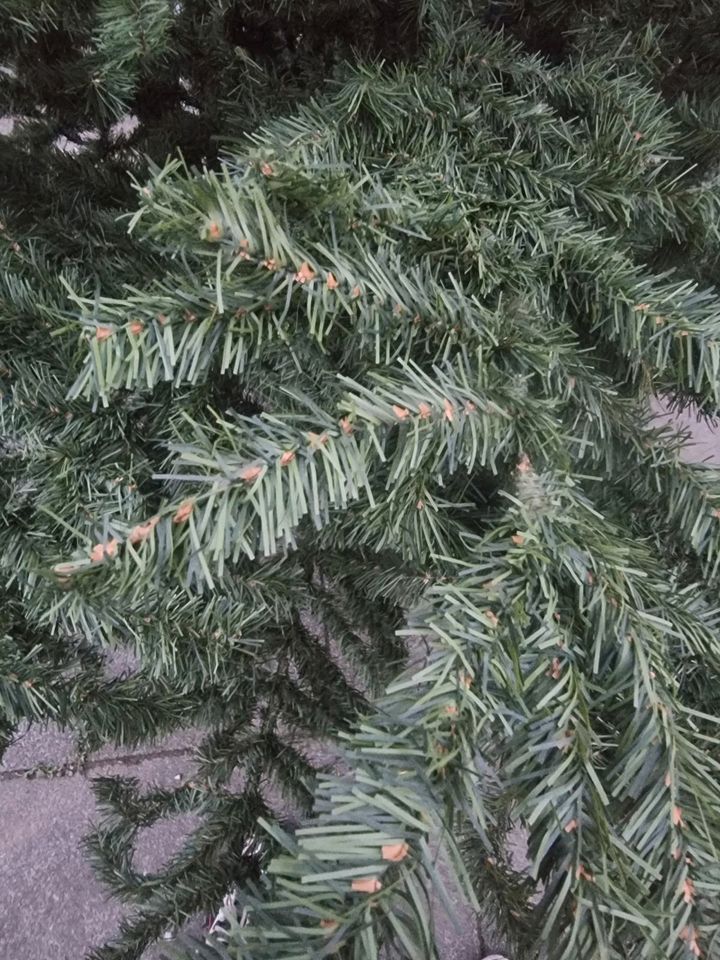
(436, 282)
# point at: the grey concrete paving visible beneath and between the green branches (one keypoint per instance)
(51, 905)
